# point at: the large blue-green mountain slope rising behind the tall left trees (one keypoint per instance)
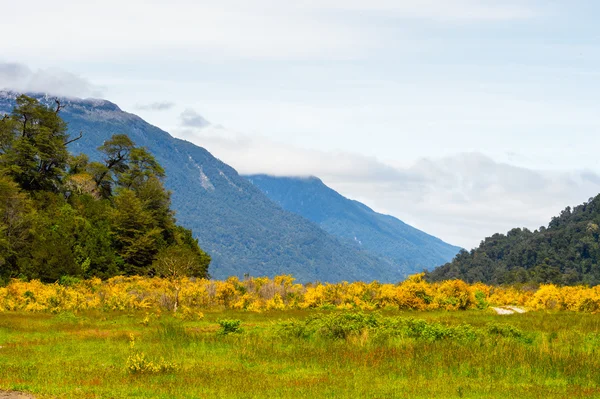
(242, 229)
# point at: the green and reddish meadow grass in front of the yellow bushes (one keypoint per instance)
(86, 355)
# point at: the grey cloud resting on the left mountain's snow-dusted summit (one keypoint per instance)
(19, 77)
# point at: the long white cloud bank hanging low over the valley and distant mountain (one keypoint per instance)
(462, 198)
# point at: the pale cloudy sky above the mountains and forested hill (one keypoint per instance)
(461, 117)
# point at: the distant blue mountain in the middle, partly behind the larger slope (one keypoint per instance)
(357, 224)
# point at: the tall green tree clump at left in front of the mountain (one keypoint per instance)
(64, 215)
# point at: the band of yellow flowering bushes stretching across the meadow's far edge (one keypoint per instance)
(281, 293)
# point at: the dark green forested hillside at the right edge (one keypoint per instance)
(567, 252)
